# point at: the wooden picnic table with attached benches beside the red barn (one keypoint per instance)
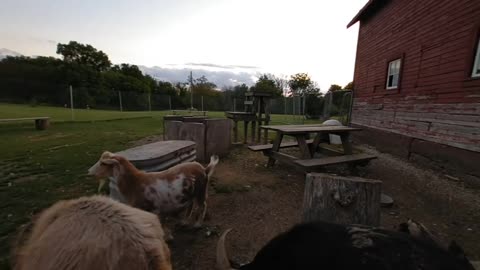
(309, 147)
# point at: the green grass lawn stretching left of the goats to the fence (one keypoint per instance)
(38, 168)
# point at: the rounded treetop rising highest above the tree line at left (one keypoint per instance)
(75, 52)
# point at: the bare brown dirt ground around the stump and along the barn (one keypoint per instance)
(258, 203)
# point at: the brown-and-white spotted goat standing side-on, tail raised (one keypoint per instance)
(183, 186)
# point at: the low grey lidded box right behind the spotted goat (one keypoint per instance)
(154, 157)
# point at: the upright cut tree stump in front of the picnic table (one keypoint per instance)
(342, 200)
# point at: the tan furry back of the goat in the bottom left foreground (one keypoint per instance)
(93, 233)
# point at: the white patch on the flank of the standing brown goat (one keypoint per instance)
(164, 194)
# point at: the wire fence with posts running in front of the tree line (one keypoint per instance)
(299, 108)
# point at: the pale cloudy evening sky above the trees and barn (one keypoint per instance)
(237, 36)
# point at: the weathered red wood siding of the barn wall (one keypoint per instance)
(437, 99)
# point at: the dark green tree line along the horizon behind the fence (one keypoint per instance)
(97, 82)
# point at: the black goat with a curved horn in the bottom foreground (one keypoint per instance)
(321, 245)
